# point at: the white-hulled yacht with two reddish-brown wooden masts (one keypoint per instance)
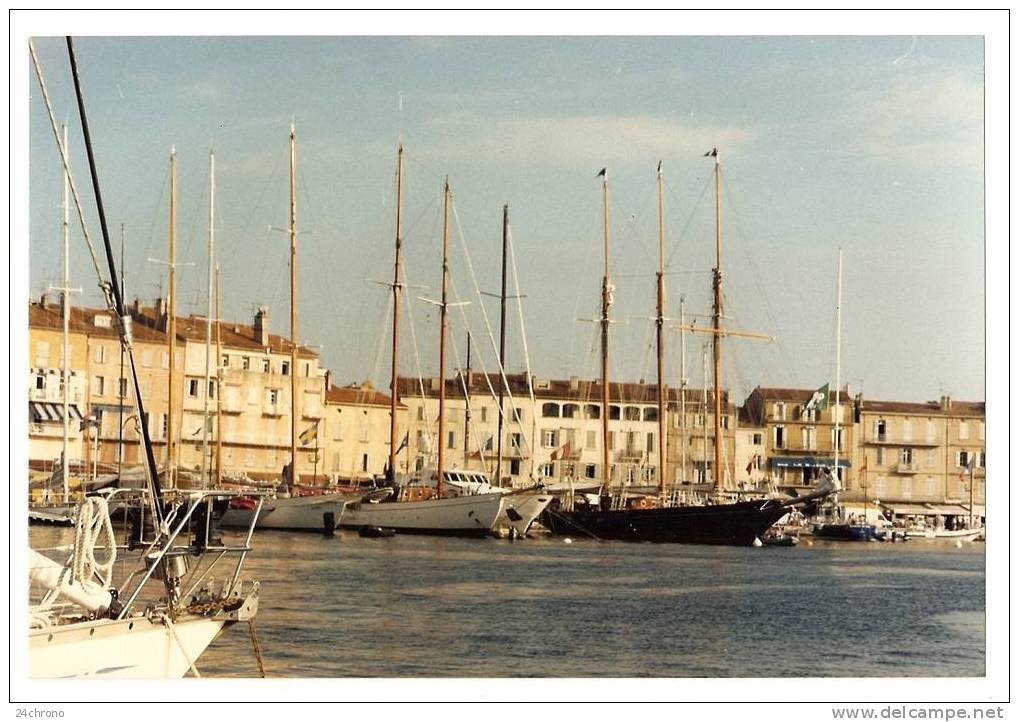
(425, 511)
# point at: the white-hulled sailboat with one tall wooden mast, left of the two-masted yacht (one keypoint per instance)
(320, 513)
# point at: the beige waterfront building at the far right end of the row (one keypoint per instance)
(911, 455)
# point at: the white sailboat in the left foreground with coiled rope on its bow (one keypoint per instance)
(85, 623)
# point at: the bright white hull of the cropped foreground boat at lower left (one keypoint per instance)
(132, 648)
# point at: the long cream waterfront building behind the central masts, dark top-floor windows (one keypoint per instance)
(556, 435)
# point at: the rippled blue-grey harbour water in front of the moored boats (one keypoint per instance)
(433, 607)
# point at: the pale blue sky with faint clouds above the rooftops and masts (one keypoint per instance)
(874, 145)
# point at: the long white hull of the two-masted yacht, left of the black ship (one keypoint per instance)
(465, 516)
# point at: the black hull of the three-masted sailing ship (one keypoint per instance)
(738, 524)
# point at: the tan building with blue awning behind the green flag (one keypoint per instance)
(799, 438)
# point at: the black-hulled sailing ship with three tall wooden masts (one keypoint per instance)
(741, 523)
